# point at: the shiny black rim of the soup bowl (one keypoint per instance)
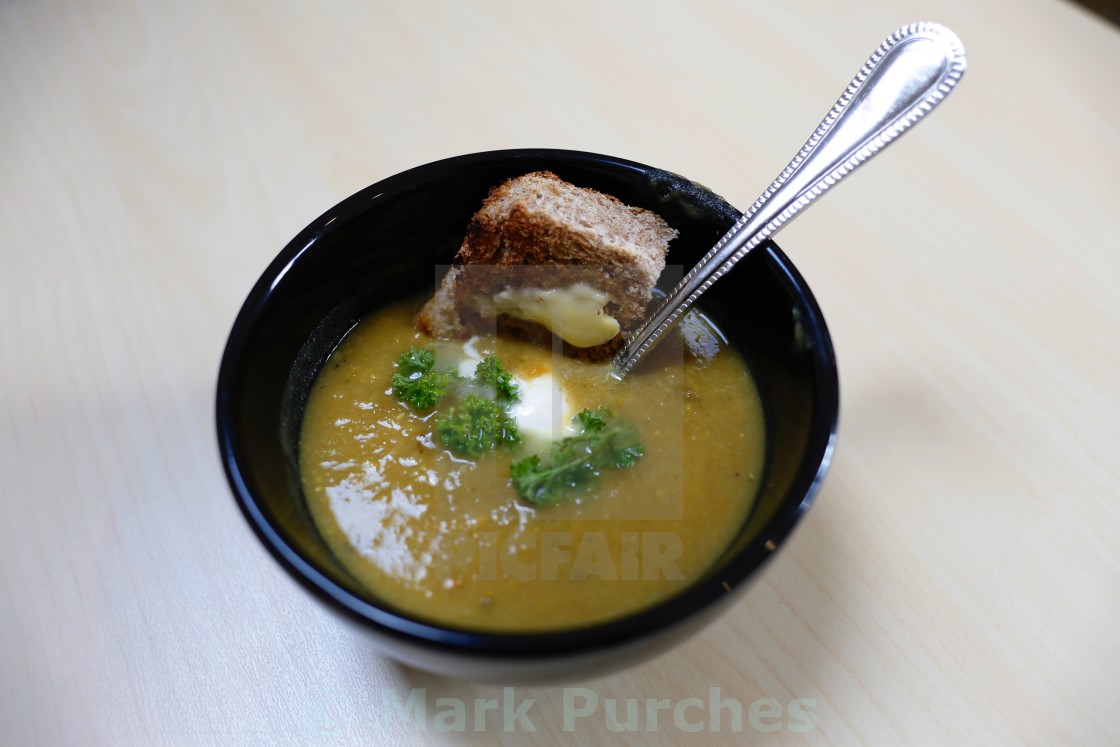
(736, 572)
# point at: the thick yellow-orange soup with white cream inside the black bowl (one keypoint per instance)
(444, 538)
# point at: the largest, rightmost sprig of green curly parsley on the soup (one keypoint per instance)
(604, 443)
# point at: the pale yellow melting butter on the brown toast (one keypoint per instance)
(576, 314)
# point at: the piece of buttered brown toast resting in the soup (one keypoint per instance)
(545, 258)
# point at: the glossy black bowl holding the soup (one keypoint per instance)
(385, 244)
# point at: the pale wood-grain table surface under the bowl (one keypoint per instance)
(958, 581)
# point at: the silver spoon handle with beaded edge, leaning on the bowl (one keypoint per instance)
(910, 74)
